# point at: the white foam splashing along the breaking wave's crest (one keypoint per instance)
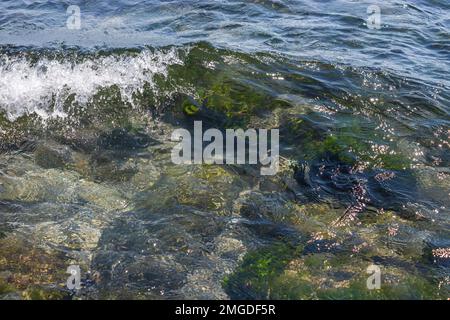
(43, 87)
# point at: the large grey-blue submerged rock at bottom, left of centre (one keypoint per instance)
(153, 259)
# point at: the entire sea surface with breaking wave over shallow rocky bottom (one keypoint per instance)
(89, 98)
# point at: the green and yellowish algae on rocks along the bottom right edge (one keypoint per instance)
(281, 272)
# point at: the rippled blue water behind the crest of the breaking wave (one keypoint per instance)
(413, 40)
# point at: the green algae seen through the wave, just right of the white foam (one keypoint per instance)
(223, 88)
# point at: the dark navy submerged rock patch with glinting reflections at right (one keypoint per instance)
(328, 178)
